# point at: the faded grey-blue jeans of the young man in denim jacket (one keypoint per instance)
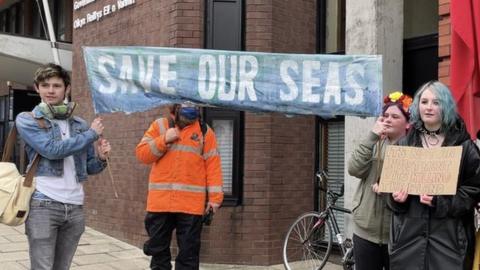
(53, 230)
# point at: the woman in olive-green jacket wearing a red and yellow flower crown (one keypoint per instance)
(370, 215)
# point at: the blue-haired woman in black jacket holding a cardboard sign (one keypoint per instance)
(436, 232)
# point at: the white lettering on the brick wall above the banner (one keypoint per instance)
(97, 15)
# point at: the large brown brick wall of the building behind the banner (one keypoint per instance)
(279, 151)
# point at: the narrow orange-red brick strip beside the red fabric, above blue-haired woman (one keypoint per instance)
(444, 41)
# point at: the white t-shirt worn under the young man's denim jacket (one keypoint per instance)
(66, 188)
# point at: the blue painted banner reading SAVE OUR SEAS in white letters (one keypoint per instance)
(132, 79)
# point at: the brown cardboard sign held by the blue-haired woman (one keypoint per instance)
(420, 170)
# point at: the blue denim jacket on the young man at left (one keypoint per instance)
(48, 143)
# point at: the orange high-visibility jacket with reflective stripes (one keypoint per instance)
(182, 172)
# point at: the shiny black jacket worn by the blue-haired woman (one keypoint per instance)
(442, 236)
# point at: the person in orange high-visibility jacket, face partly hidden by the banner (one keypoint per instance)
(185, 183)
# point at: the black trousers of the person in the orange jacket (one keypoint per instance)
(160, 226)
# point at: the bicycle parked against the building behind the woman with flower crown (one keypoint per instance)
(309, 239)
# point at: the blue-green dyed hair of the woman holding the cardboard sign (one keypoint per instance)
(447, 105)
